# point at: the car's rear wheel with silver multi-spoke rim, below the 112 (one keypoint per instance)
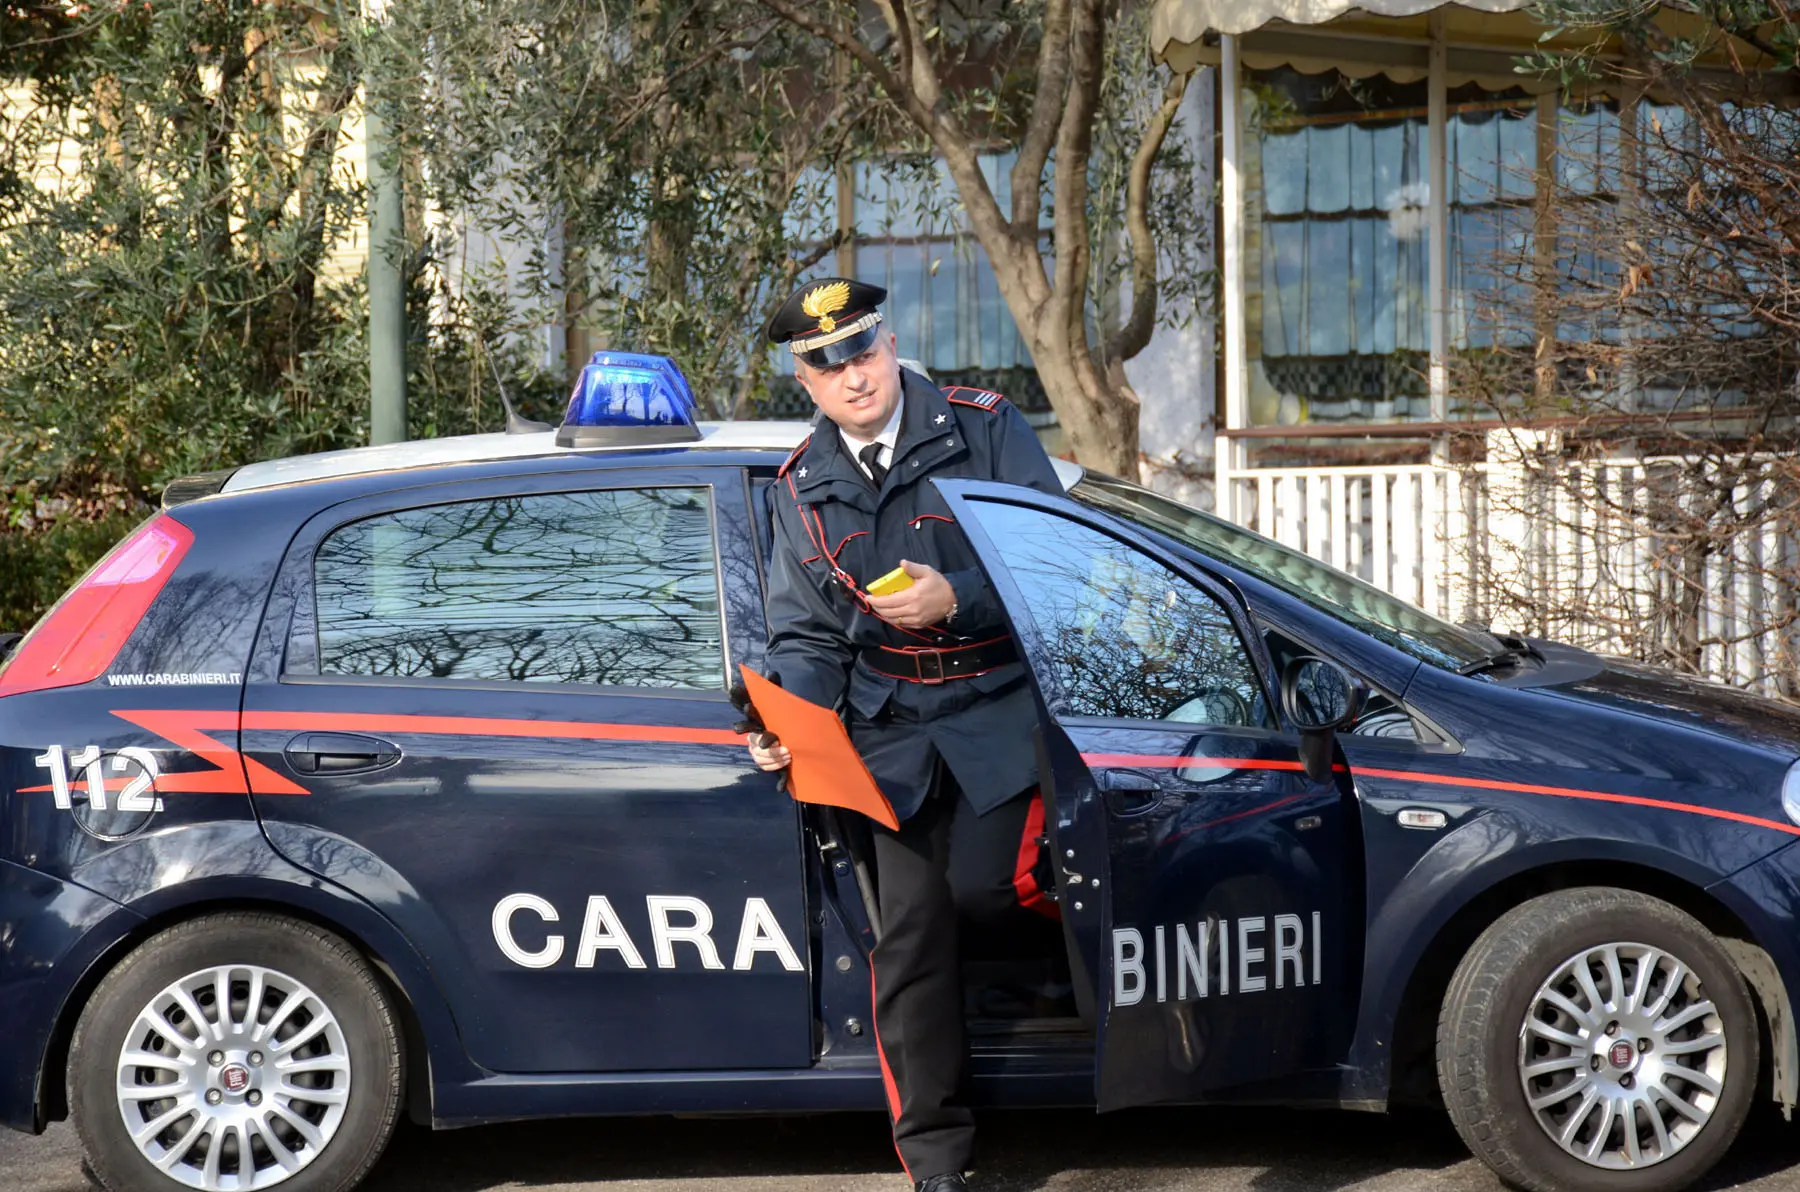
(310, 1088)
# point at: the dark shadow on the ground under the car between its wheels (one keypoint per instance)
(1023, 1151)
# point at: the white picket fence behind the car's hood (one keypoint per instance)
(1614, 555)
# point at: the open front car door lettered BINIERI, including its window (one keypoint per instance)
(1212, 892)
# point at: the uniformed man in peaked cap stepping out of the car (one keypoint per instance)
(930, 678)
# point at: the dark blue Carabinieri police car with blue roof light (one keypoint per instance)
(404, 781)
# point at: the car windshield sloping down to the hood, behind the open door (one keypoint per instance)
(1327, 590)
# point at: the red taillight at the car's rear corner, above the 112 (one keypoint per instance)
(80, 638)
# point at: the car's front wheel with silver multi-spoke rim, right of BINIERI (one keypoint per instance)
(1502, 1015)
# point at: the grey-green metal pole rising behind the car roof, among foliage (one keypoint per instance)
(388, 240)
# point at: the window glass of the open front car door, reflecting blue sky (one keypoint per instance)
(1124, 637)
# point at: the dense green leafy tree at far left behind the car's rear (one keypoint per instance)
(181, 237)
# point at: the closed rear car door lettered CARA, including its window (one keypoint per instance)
(507, 710)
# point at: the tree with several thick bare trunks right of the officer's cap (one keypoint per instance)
(1038, 77)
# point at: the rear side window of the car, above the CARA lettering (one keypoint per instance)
(609, 588)
